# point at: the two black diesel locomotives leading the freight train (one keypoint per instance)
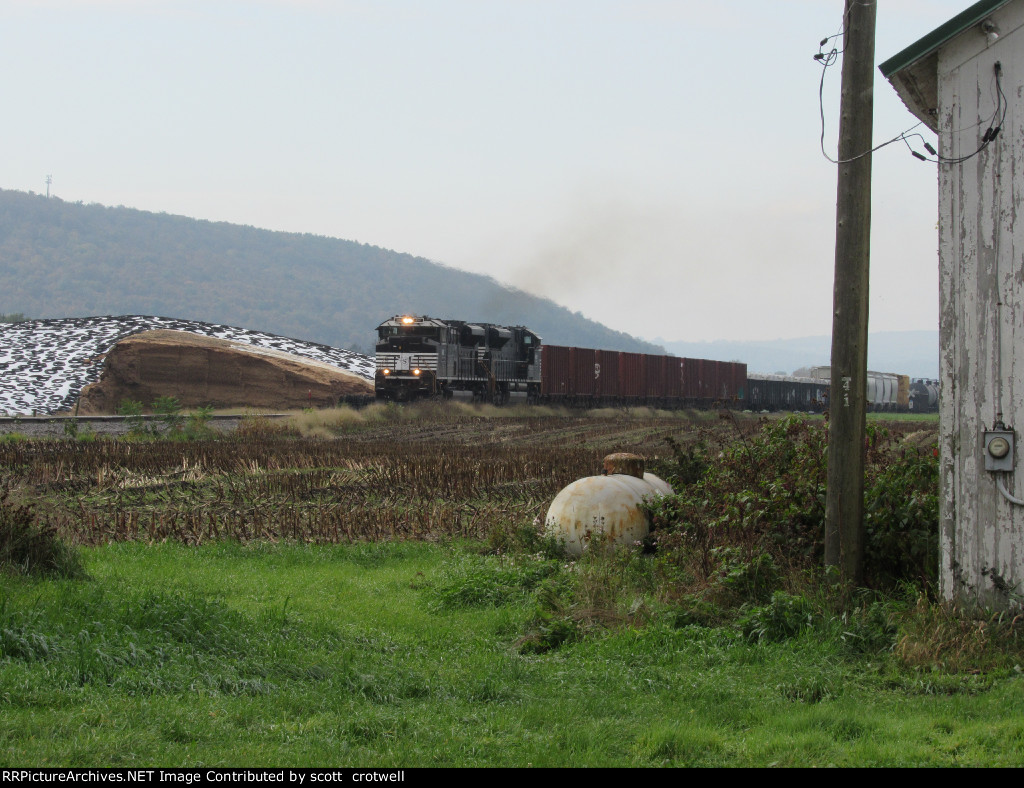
(421, 357)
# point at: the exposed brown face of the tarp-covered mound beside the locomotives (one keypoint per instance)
(202, 371)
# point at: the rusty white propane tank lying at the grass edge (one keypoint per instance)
(606, 509)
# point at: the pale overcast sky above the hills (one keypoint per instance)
(653, 164)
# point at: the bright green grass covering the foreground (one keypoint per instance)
(408, 654)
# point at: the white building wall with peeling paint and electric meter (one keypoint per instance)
(982, 252)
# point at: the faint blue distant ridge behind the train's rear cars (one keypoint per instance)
(914, 353)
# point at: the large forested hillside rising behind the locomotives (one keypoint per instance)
(63, 259)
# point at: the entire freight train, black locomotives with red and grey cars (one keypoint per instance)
(425, 358)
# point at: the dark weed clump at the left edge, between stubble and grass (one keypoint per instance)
(28, 547)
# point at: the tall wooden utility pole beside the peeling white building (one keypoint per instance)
(845, 499)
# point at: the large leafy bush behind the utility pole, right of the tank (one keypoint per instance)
(758, 513)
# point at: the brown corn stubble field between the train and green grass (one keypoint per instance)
(439, 477)
